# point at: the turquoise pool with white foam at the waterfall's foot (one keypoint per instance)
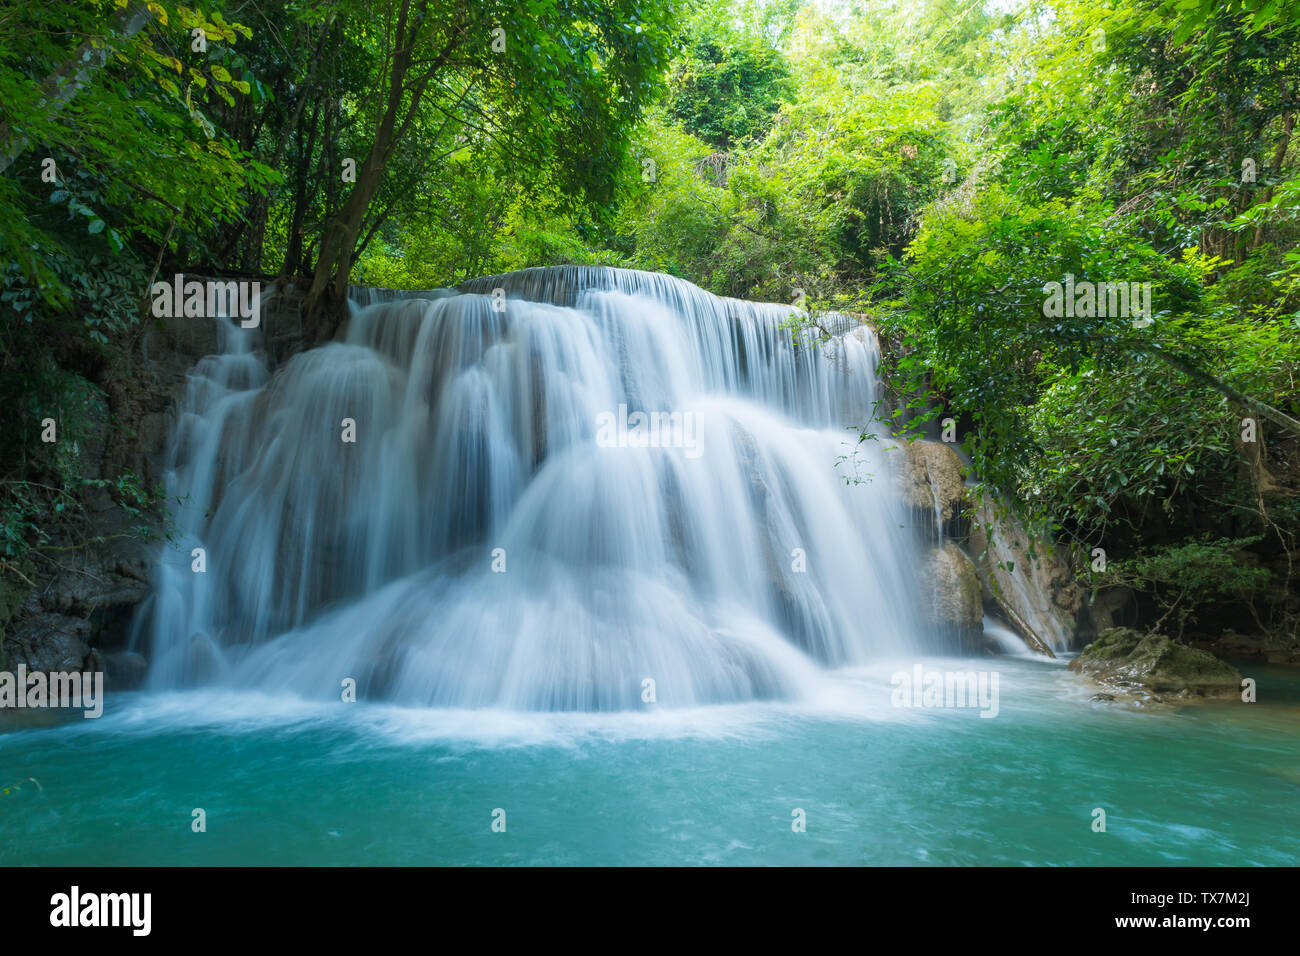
(288, 782)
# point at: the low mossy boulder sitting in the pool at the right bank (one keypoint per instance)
(1151, 664)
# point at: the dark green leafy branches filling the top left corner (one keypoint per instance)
(106, 137)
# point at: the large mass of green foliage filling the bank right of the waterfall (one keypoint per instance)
(1113, 163)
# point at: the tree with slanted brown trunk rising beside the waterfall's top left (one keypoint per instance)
(552, 84)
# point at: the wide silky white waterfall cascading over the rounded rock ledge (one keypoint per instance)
(506, 531)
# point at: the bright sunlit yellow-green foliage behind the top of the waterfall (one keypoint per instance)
(818, 202)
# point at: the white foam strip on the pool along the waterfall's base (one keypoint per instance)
(856, 695)
